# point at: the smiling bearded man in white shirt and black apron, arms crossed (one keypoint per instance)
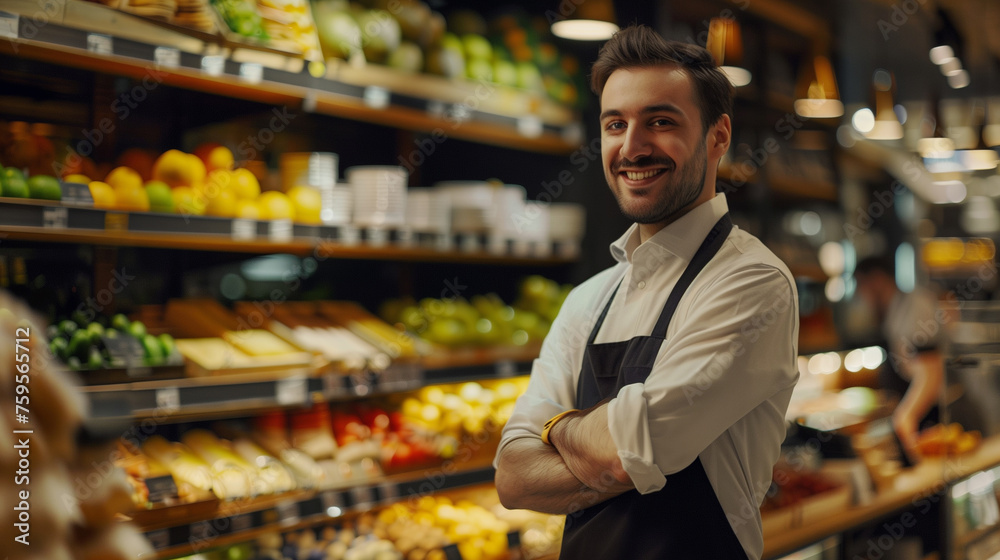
(655, 411)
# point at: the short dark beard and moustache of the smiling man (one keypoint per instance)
(679, 192)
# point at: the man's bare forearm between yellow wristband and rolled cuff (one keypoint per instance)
(586, 446)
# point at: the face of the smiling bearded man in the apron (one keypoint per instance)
(652, 142)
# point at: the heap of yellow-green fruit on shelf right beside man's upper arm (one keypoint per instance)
(485, 320)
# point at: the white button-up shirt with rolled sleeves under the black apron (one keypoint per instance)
(721, 382)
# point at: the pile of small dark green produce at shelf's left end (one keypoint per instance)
(84, 344)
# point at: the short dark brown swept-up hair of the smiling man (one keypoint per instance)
(639, 46)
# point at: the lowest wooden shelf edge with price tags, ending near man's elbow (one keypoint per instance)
(242, 520)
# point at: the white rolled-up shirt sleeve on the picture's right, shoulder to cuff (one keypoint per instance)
(732, 350)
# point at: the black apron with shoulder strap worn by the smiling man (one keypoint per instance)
(684, 520)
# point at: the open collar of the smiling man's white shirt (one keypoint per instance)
(682, 237)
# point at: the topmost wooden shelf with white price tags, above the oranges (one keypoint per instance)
(487, 113)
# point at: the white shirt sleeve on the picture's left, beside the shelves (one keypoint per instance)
(552, 386)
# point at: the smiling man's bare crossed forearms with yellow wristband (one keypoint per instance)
(579, 470)
